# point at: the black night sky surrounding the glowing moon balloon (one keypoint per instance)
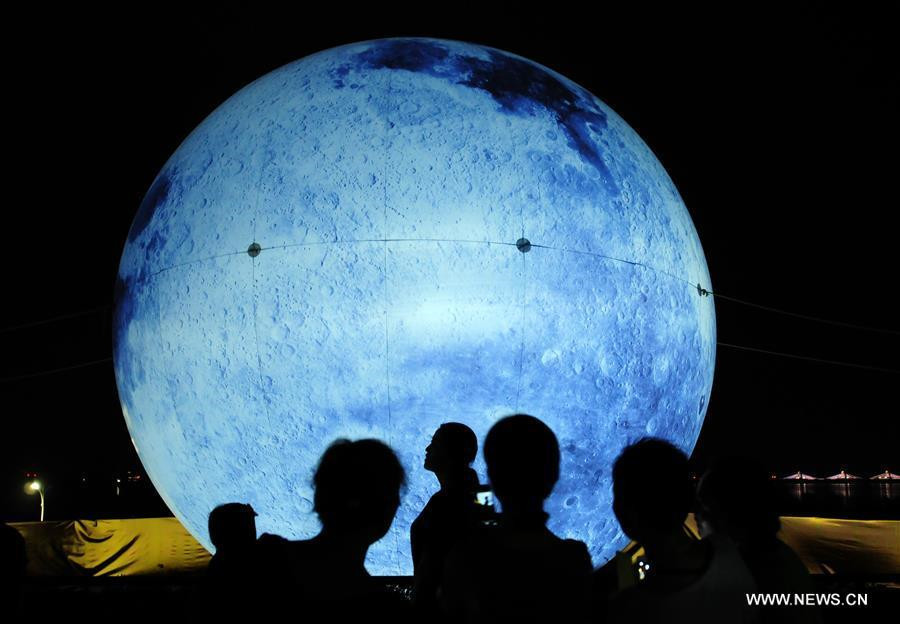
(780, 131)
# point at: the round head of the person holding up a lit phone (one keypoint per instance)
(522, 456)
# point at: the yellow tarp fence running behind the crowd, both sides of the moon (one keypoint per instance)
(162, 546)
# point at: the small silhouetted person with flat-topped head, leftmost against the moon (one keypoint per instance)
(232, 530)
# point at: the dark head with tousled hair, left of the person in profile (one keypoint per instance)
(357, 489)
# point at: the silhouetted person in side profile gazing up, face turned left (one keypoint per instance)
(449, 514)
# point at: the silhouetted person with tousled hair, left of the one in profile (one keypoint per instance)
(357, 493)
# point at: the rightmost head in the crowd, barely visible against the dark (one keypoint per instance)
(735, 497)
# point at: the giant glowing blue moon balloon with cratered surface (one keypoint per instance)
(389, 235)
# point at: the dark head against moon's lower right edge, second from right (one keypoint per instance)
(651, 489)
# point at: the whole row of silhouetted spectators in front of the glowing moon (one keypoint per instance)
(473, 565)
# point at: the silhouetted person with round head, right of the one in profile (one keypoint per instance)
(518, 571)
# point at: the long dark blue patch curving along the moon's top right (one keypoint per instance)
(519, 86)
